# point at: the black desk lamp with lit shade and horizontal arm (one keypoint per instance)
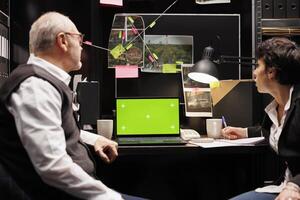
(205, 70)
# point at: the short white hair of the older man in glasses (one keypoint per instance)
(44, 30)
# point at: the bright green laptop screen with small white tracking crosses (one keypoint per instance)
(147, 116)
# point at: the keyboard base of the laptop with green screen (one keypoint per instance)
(150, 140)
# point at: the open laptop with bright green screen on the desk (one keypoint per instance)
(148, 121)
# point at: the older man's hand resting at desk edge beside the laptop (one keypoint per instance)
(106, 149)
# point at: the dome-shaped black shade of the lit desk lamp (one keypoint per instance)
(204, 71)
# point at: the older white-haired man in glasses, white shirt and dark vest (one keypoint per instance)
(40, 143)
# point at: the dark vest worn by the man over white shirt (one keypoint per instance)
(12, 153)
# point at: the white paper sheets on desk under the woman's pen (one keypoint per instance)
(226, 143)
